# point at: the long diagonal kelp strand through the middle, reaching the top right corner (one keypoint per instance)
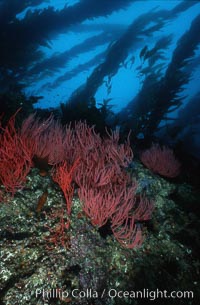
(118, 52)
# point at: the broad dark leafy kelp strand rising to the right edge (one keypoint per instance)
(157, 98)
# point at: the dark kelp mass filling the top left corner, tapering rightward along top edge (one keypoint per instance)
(37, 27)
